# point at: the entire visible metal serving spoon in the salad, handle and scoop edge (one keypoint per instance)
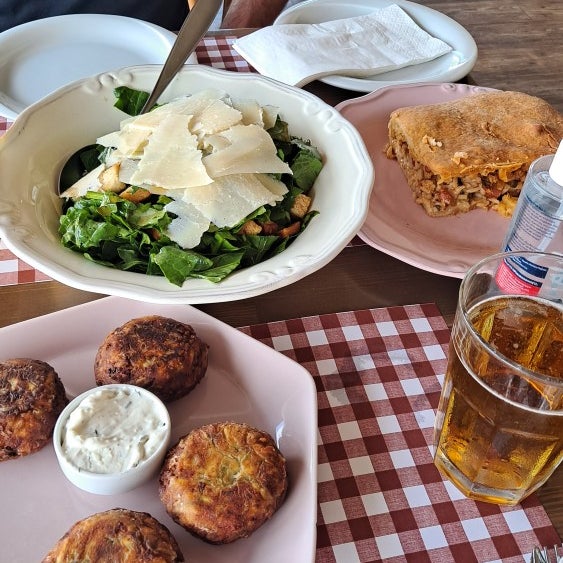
(193, 29)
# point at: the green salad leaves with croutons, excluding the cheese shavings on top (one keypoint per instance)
(119, 230)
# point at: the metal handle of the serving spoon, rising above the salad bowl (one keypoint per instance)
(193, 29)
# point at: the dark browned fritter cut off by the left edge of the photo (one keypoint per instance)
(31, 398)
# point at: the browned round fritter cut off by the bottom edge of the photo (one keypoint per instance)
(117, 535)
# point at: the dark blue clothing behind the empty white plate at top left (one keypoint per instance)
(169, 14)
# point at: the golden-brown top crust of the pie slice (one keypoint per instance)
(480, 133)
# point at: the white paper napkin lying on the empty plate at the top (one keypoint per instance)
(384, 40)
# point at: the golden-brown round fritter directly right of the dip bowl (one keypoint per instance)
(223, 481)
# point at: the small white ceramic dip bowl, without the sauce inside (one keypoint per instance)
(116, 482)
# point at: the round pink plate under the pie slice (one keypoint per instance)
(395, 224)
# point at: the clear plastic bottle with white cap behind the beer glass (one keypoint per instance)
(537, 225)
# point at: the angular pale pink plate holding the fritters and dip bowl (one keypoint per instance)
(246, 381)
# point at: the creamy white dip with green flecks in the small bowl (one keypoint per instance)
(112, 430)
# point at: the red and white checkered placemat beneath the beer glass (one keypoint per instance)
(378, 375)
